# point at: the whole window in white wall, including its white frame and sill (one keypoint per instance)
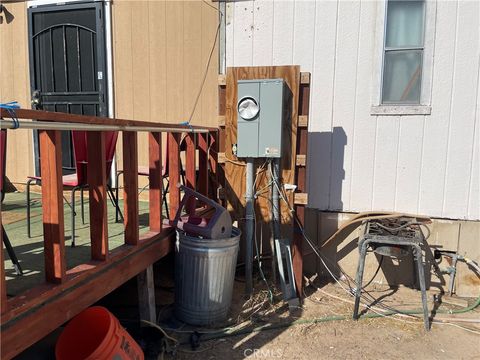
(405, 45)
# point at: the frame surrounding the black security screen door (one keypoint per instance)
(101, 52)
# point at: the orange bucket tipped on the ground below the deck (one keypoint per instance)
(95, 334)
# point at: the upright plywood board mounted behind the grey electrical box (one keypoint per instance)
(234, 168)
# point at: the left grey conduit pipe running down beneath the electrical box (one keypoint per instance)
(249, 226)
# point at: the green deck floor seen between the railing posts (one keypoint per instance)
(30, 250)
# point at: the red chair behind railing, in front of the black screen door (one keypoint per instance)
(78, 180)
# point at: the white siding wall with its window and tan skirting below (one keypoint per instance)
(369, 148)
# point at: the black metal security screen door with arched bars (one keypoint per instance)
(67, 65)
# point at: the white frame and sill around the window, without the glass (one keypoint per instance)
(424, 108)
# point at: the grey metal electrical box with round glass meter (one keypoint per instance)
(261, 112)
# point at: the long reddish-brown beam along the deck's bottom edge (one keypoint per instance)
(40, 312)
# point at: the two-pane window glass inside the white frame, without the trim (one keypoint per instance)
(403, 52)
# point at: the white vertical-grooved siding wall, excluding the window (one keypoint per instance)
(420, 164)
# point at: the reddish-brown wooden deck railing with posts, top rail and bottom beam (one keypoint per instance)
(30, 316)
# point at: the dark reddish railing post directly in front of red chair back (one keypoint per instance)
(97, 188)
